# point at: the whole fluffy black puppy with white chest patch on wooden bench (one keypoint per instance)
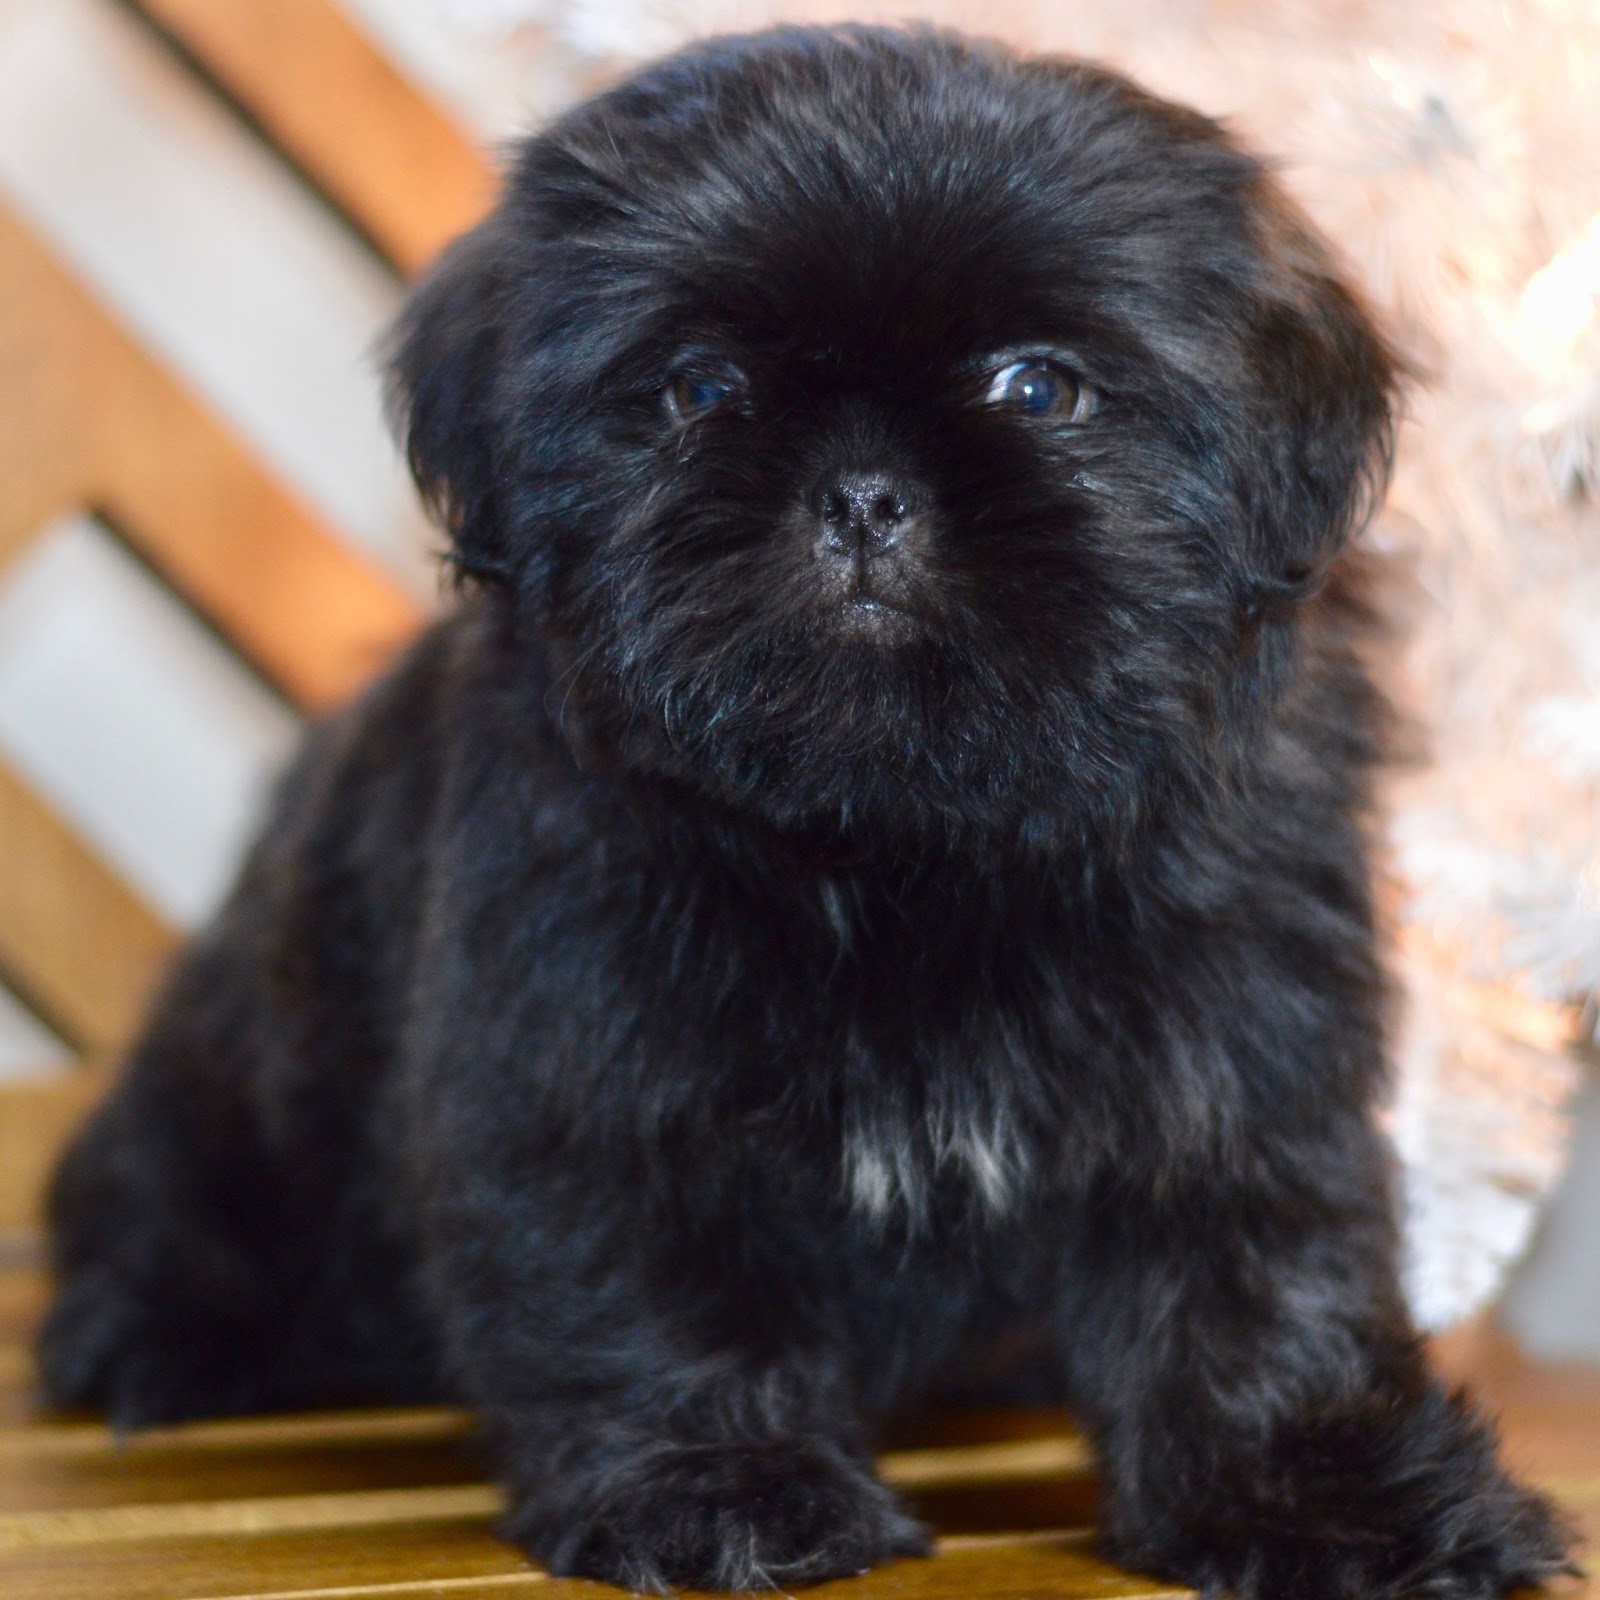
(871, 874)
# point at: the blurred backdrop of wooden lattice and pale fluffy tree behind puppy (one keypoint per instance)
(209, 212)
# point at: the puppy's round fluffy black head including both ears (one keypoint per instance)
(898, 436)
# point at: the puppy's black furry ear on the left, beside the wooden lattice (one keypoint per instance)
(444, 359)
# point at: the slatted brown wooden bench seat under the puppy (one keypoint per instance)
(398, 1503)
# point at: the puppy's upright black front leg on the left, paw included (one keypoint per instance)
(666, 1386)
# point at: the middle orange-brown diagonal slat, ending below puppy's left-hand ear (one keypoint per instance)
(90, 420)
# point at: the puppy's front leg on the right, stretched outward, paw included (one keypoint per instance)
(1266, 1417)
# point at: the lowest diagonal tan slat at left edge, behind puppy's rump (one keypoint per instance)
(73, 935)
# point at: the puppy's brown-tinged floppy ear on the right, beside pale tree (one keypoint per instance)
(1321, 438)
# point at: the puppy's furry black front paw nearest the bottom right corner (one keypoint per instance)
(1354, 1513)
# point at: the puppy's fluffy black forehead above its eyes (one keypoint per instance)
(873, 190)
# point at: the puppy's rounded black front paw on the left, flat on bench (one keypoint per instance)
(730, 1518)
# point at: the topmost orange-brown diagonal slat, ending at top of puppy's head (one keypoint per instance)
(378, 148)
